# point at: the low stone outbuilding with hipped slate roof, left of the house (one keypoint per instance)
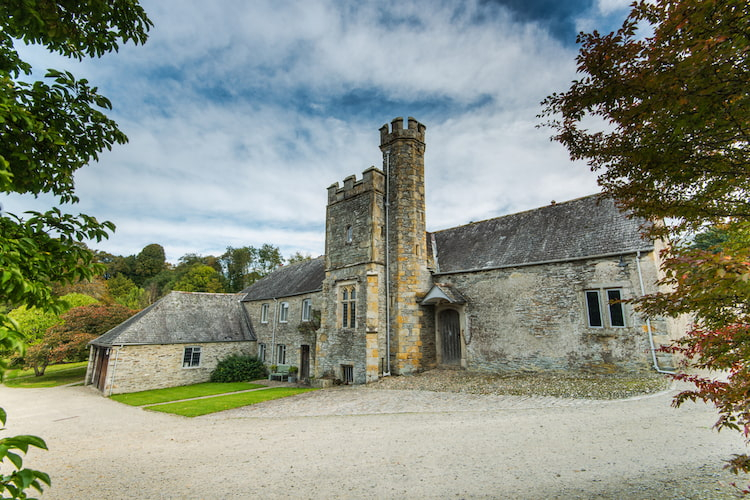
(176, 341)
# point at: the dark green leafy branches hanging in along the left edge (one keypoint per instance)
(48, 130)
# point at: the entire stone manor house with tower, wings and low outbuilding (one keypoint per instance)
(536, 290)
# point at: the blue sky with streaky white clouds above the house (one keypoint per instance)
(241, 113)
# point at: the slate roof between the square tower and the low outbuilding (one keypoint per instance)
(295, 279)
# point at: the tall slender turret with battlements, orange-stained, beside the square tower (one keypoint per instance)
(411, 341)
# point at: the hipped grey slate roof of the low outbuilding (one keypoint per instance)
(184, 317)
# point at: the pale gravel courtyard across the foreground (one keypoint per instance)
(366, 442)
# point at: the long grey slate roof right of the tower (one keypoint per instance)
(584, 227)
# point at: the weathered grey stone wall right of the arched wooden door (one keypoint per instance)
(534, 318)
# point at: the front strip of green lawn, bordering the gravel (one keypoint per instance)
(197, 407)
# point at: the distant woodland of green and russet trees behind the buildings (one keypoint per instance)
(126, 285)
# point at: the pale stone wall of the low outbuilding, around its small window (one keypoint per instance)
(135, 368)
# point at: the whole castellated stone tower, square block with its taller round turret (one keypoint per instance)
(376, 266)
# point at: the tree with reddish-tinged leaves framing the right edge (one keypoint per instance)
(662, 112)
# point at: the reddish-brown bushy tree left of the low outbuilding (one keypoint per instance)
(68, 340)
